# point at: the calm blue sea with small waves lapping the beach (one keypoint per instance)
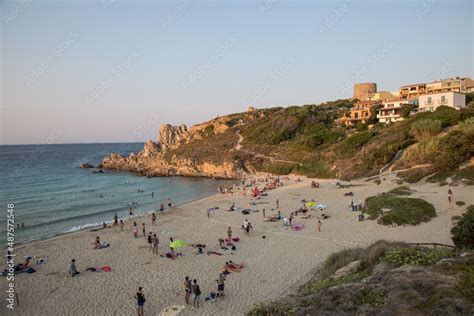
(51, 195)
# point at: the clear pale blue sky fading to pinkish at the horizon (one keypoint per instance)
(114, 71)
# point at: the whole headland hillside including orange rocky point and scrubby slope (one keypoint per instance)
(305, 140)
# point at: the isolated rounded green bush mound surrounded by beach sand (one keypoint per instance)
(392, 208)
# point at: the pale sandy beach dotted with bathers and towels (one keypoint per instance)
(274, 265)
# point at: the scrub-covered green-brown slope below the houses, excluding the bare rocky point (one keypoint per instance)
(306, 140)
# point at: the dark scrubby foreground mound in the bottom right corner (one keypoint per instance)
(385, 283)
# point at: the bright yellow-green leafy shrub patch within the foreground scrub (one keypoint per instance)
(415, 255)
